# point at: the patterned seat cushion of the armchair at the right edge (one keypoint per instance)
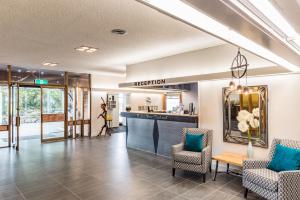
(265, 178)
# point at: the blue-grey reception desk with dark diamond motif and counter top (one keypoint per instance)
(156, 132)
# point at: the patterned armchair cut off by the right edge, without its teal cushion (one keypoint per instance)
(270, 184)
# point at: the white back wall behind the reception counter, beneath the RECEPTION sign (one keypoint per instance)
(139, 99)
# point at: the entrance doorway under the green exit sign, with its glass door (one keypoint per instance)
(38, 113)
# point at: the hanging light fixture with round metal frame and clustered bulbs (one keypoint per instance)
(238, 69)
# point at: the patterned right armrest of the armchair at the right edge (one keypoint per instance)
(289, 184)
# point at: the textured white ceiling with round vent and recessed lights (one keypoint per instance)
(35, 31)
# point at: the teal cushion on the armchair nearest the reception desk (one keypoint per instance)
(193, 142)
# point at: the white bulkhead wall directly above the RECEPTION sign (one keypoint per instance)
(204, 61)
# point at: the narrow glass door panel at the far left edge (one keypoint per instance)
(4, 113)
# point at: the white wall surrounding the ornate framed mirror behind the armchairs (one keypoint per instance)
(283, 114)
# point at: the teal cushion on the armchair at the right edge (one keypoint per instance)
(285, 159)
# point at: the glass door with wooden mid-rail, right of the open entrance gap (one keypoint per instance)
(53, 113)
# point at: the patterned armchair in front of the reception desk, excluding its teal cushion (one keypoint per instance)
(193, 161)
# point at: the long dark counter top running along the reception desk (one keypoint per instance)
(161, 116)
